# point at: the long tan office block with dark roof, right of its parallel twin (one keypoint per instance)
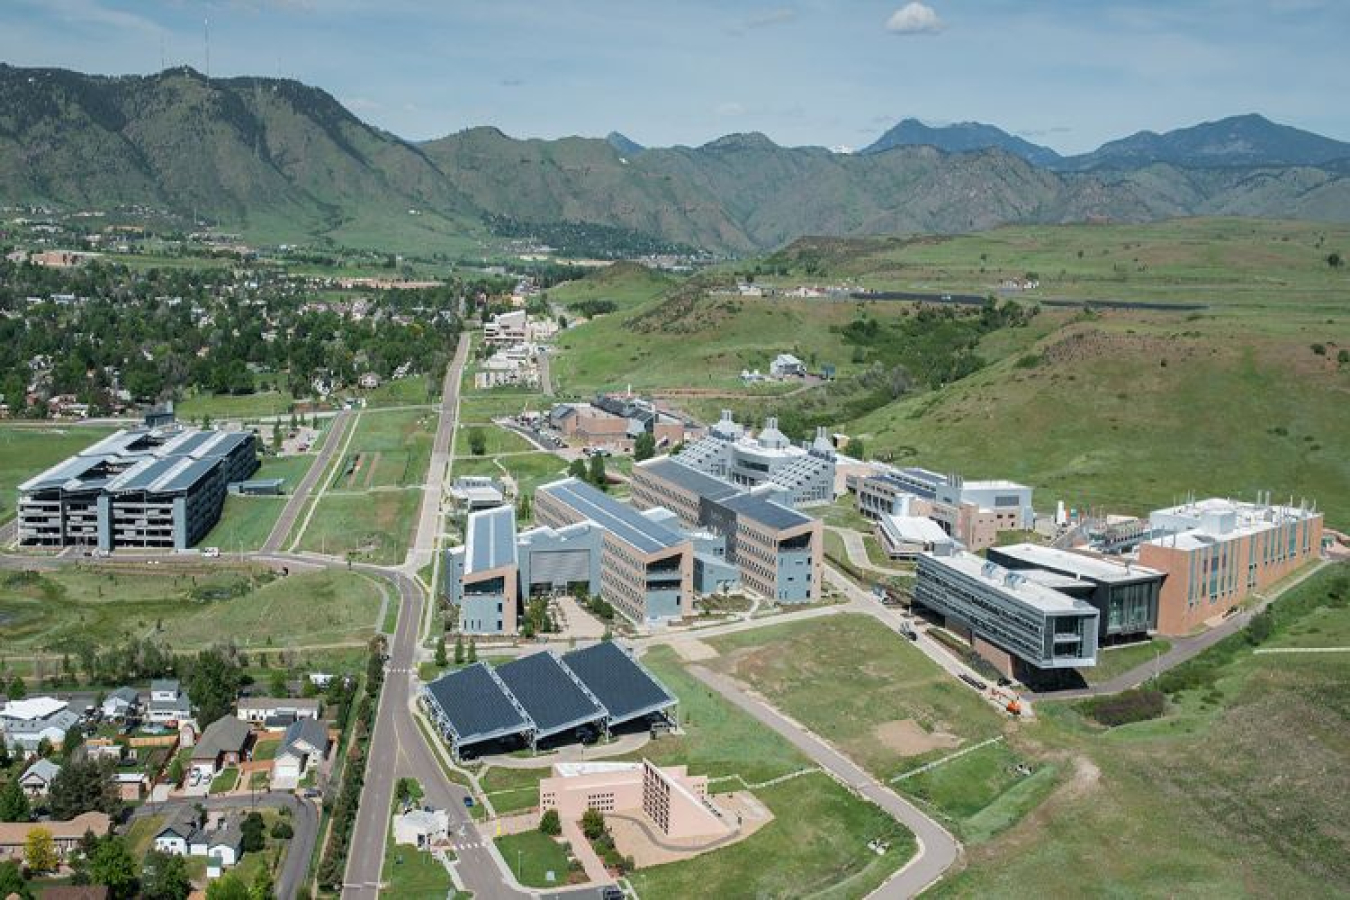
(776, 550)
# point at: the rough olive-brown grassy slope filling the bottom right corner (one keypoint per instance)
(1237, 791)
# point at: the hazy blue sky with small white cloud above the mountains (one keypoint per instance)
(1069, 75)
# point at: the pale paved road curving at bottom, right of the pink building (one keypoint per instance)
(938, 849)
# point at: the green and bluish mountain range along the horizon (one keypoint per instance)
(280, 160)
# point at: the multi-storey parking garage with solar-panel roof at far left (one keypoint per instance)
(142, 488)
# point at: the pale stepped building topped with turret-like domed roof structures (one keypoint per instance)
(730, 453)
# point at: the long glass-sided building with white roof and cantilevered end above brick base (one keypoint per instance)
(1009, 619)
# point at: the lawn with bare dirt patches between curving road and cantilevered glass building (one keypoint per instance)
(874, 694)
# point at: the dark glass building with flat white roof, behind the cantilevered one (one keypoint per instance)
(1125, 594)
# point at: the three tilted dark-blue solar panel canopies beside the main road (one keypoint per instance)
(545, 694)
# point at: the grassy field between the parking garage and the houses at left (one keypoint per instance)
(59, 611)
